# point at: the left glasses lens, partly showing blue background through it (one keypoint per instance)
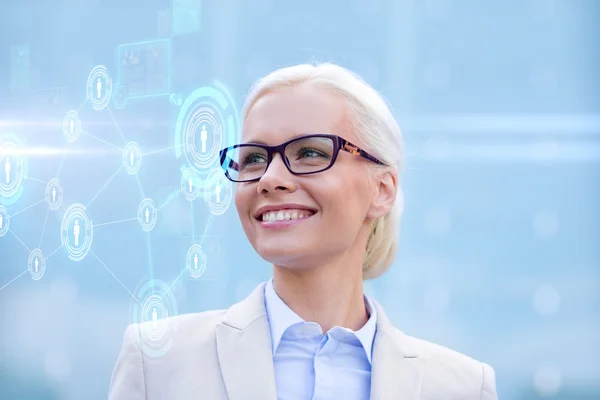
(245, 163)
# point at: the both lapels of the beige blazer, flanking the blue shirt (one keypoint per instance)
(246, 358)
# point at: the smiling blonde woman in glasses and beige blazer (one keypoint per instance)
(318, 197)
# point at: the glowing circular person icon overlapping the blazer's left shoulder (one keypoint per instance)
(156, 304)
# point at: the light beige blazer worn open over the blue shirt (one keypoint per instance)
(227, 354)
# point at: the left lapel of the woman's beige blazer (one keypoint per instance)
(244, 350)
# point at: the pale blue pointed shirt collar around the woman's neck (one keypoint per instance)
(281, 317)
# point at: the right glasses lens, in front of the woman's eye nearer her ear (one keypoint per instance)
(311, 154)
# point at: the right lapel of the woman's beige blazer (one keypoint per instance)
(397, 370)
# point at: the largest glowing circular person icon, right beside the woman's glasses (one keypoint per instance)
(207, 122)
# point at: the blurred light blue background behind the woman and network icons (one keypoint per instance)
(499, 104)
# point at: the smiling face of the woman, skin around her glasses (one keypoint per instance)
(333, 208)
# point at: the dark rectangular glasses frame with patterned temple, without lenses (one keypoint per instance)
(338, 144)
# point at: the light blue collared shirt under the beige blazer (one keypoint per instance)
(310, 365)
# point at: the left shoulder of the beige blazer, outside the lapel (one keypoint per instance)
(186, 350)
